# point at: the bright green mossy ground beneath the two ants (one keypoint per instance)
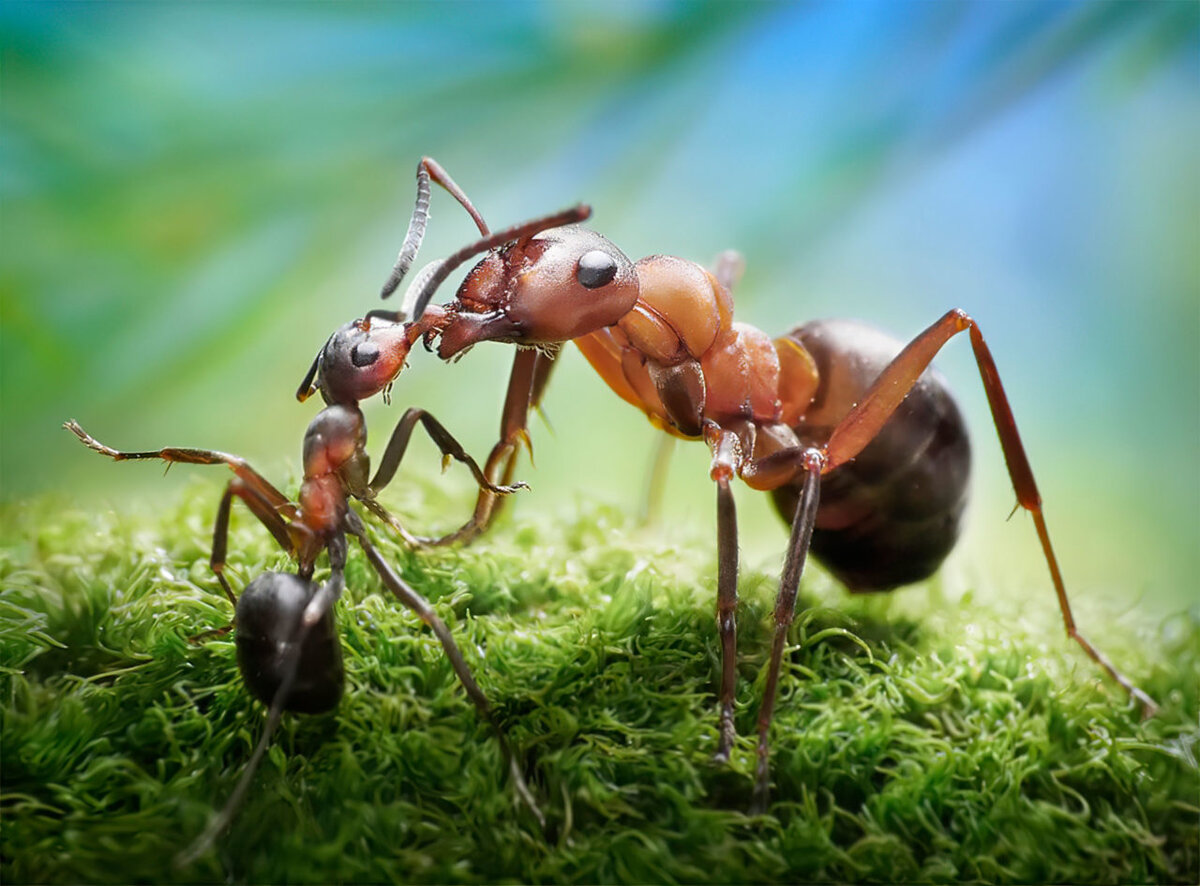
(917, 739)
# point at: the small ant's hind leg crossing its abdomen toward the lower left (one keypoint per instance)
(321, 603)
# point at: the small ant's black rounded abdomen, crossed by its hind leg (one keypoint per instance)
(269, 613)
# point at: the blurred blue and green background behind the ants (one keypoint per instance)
(194, 197)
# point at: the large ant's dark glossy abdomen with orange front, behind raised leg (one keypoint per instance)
(890, 517)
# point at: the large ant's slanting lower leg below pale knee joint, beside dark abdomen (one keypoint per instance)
(785, 612)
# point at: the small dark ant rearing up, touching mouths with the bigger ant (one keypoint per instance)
(289, 652)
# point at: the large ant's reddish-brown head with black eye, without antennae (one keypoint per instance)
(548, 289)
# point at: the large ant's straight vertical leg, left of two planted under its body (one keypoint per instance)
(725, 447)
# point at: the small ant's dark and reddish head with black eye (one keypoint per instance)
(358, 362)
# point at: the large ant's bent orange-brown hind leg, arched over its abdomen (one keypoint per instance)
(859, 428)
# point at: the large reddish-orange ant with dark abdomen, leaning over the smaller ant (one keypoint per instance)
(859, 441)
